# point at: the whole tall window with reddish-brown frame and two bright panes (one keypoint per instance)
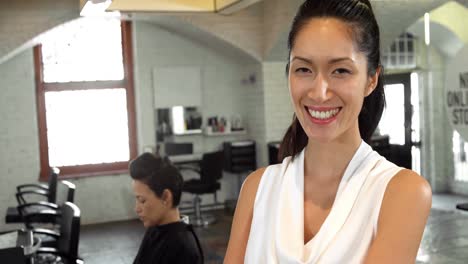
(85, 98)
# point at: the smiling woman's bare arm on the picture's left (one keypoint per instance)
(242, 219)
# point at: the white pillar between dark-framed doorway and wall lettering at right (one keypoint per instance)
(436, 137)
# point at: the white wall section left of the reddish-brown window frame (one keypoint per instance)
(19, 158)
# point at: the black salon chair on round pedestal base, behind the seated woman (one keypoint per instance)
(210, 171)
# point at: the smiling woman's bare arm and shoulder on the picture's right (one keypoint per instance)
(403, 215)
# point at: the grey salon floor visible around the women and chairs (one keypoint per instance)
(445, 238)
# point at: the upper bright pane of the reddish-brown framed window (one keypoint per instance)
(68, 50)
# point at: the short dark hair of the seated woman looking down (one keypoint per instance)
(159, 174)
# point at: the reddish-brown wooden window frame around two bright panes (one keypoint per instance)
(127, 83)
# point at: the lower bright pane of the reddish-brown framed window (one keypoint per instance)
(87, 127)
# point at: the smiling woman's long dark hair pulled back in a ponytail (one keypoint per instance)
(359, 16)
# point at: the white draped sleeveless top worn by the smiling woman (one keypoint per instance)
(277, 229)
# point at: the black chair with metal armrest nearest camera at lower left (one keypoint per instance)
(67, 241)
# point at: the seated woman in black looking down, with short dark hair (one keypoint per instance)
(157, 186)
